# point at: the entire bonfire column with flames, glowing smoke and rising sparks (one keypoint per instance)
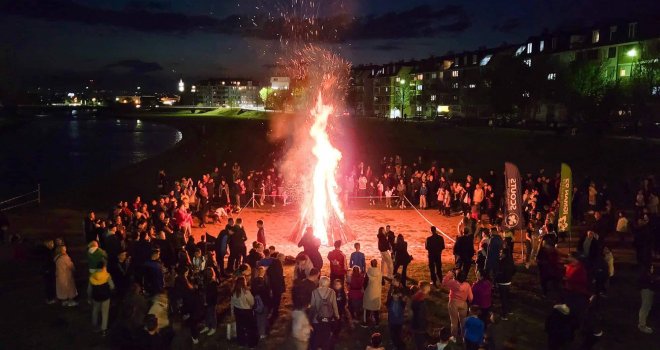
(320, 78)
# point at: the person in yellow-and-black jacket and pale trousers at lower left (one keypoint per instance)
(99, 291)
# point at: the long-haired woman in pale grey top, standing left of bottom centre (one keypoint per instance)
(242, 303)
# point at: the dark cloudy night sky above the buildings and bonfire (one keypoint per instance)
(153, 43)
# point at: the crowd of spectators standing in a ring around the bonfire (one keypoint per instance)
(168, 289)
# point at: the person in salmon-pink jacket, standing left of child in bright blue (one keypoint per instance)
(460, 294)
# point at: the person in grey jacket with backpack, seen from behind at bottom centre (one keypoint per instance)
(323, 311)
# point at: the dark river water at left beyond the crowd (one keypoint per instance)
(58, 152)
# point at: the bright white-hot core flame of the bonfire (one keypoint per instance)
(322, 200)
